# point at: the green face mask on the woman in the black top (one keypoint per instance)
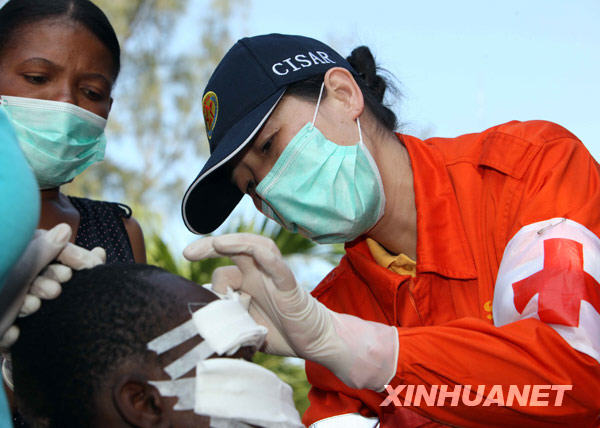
(59, 140)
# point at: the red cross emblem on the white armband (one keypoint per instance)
(561, 285)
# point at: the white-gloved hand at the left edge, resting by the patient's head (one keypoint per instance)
(32, 278)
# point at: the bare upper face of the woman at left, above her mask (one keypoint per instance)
(61, 60)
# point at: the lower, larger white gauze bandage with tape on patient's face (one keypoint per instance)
(231, 391)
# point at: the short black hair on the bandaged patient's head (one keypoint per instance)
(104, 316)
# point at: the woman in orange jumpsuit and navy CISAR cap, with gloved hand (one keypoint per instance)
(471, 268)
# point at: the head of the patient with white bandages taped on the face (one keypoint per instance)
(128, 358)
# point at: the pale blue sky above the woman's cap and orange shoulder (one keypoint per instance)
(462, 66)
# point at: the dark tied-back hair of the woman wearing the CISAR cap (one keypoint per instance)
(372, 85)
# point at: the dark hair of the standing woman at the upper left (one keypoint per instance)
(17, 13)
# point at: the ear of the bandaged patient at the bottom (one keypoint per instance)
(139, 403)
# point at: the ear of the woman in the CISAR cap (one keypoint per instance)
(340, 85)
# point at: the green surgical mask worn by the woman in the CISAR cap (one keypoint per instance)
(326, 192)
